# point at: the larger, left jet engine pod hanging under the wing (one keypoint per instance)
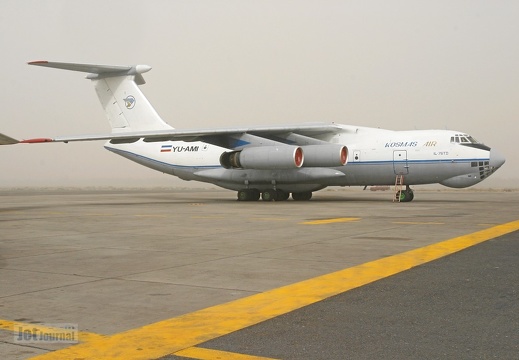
(264, 158)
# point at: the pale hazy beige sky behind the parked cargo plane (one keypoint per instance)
(389, 64)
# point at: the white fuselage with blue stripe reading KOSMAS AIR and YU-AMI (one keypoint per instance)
(375, 157)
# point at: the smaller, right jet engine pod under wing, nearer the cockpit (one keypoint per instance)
(325, 155)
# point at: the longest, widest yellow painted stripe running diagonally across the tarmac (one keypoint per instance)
(185, 331)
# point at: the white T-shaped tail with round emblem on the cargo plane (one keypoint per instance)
(125, 106)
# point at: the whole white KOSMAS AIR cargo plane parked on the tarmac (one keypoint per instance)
(276, 161)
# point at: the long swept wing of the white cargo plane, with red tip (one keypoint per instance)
(219, 136)
